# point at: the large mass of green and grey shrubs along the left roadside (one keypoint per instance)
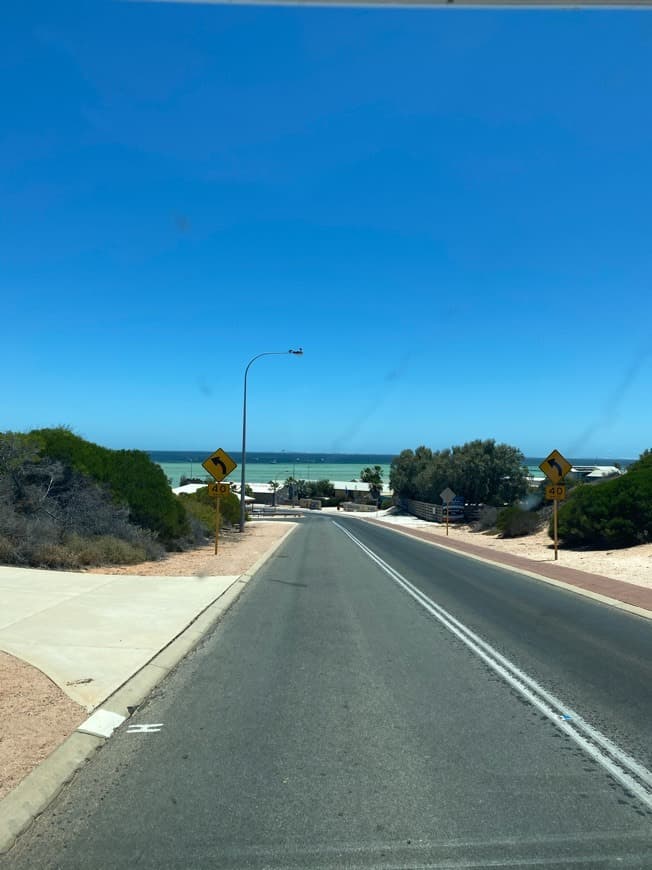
(67, 503)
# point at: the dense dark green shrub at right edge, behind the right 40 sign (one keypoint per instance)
(616, 513)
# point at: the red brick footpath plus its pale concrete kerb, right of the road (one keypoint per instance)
(628, 596)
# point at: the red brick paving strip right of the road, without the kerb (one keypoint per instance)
(637, 596)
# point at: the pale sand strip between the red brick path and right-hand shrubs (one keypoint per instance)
(631, 564)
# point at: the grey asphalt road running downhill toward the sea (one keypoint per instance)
(337, 717)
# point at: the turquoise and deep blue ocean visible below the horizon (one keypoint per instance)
(265, 466)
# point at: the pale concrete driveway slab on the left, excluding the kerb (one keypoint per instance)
(91, 632)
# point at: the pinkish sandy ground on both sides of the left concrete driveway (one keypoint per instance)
(36, 716)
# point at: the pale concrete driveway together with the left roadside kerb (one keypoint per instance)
(107, 641)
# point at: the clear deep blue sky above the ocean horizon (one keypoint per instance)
(448, 209)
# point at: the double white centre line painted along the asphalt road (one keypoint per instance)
(580, 731)
